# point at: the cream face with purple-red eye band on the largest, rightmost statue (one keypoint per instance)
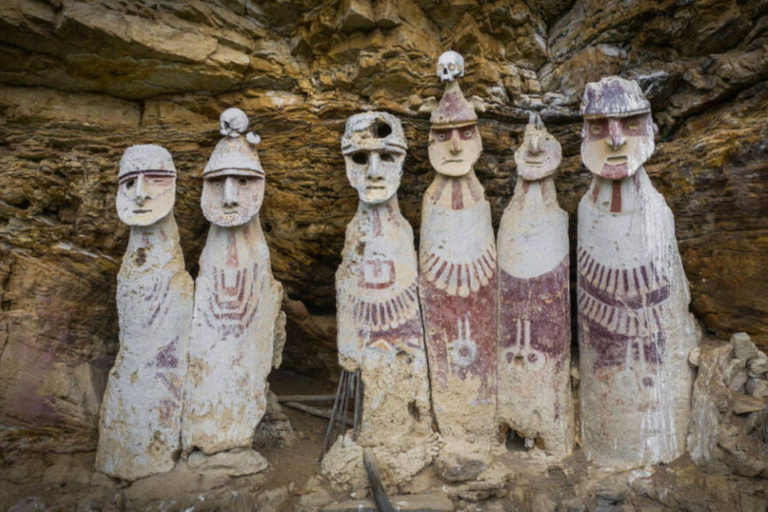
(615, 148)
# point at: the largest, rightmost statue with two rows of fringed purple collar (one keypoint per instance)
(635, 331)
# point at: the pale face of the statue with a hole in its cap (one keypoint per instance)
(375, 174)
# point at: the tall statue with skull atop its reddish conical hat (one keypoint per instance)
(457, 286)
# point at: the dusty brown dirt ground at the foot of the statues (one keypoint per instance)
(518, 480)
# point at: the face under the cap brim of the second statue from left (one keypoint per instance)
(232, 199)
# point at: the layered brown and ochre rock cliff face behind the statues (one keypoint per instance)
(80, 81)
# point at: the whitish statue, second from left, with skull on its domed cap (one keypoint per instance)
(237, 301)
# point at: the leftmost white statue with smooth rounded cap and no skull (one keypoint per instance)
(141, 410)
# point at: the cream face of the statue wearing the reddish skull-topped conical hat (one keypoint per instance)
(454, 151)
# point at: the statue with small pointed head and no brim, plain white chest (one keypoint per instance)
(534, 398)
